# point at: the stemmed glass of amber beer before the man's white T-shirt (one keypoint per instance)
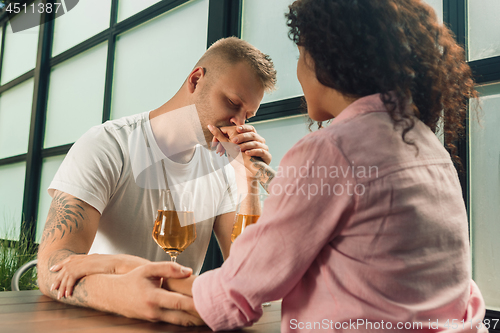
(175, 228)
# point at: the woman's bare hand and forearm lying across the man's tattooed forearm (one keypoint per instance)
(73, 268)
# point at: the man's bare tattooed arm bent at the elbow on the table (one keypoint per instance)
(70, 230)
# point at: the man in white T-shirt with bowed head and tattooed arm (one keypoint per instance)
(104, 200)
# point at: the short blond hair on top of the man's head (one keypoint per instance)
(232, 50)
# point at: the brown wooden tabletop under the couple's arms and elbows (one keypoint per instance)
(30, 311)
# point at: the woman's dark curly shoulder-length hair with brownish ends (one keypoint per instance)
(363, 47)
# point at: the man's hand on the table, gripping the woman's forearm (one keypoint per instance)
(138, 294)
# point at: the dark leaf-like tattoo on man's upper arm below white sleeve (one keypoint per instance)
(66, 215)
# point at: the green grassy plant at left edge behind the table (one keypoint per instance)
(14, 254)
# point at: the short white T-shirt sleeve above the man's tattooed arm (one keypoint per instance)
(91, 169)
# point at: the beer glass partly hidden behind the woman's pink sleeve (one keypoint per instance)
(248, 211)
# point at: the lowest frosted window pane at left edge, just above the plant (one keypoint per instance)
(11, 199)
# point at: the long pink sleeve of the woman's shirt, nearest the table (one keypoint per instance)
(300, 217)
